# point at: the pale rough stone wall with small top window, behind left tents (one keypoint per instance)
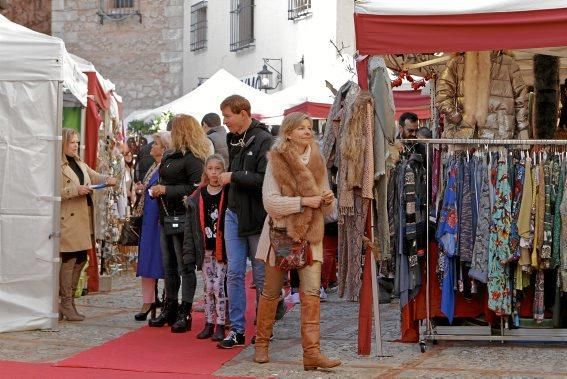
(143, 60)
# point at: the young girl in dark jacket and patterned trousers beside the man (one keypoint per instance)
(203, 244)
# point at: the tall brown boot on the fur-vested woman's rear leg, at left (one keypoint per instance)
(264, 326)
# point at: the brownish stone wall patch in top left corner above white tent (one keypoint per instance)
(33, 14)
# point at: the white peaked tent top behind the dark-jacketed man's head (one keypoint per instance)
(207, 98)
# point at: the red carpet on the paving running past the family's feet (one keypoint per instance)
(157, 350)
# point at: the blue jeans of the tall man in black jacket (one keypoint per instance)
(238, 249)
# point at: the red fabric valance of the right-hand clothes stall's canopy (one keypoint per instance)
(398, 33)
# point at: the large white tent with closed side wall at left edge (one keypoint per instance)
(34, 68)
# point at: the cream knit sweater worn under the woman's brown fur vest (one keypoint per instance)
(279, 207)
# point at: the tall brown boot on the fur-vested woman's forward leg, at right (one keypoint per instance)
(310, 335)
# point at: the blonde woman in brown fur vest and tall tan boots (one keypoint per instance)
(296, 196)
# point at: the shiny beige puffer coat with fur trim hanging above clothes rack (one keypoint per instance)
(483, 92)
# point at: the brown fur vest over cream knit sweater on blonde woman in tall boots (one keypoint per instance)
(289, 177)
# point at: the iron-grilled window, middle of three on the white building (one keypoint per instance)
(241, 24)
